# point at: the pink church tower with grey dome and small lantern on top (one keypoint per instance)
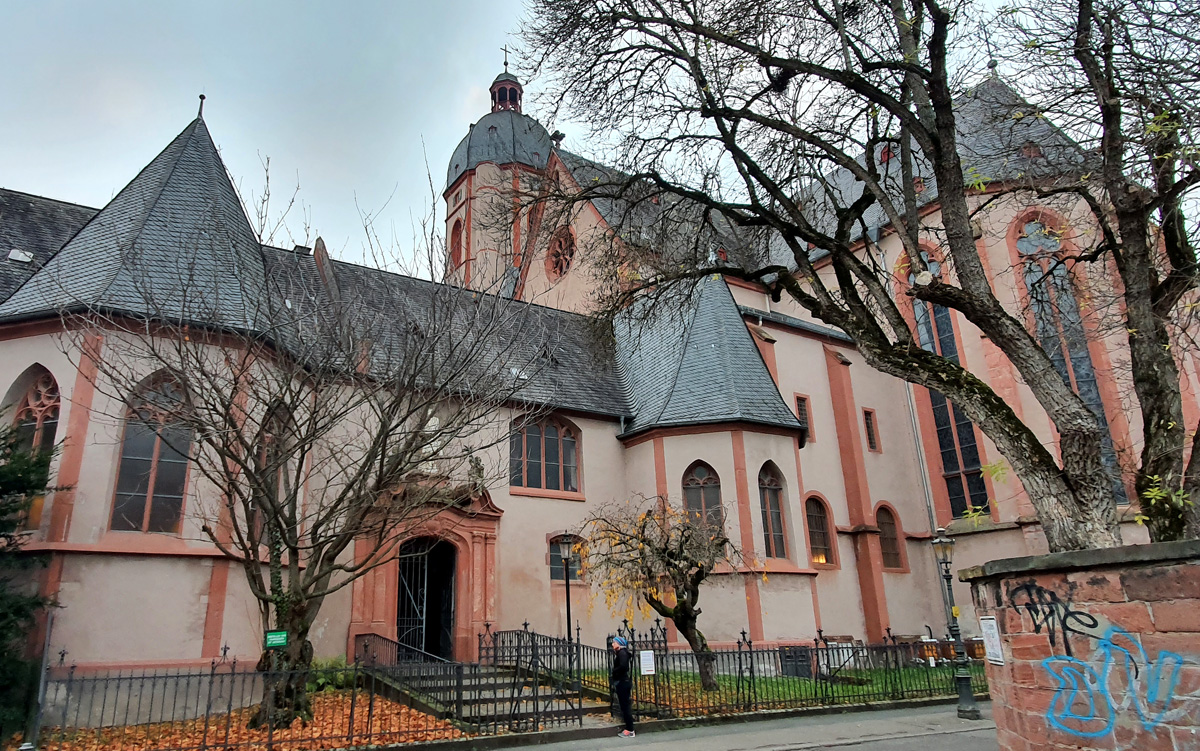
(502, 152)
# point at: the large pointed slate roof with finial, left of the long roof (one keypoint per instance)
(176, 230)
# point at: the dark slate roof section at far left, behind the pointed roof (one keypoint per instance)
(37, 226)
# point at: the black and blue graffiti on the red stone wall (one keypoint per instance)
(1120, 678)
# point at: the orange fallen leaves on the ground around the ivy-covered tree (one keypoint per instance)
(379, 723)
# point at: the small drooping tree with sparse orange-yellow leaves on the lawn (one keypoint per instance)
(651, 556)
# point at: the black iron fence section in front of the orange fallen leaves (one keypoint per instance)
(229, 707)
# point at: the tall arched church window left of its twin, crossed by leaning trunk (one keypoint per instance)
(957, 442)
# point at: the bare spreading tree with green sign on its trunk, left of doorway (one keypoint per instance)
(325, 412)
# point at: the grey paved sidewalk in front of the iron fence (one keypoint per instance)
(927, 729)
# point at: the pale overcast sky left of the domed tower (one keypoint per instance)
(339, 95)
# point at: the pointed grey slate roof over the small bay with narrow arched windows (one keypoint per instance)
(697, 364)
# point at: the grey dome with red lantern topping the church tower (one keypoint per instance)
(505, 136)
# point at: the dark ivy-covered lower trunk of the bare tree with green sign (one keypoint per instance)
(286, 678)
